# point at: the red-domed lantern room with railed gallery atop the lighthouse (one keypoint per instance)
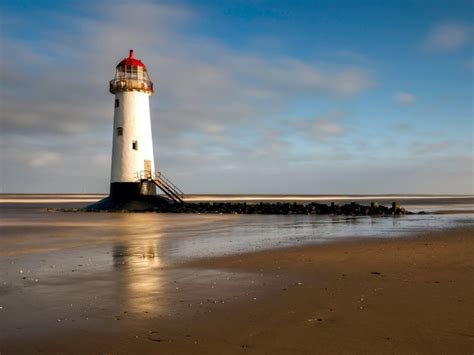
(131, 75)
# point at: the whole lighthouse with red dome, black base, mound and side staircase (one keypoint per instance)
(133, 178)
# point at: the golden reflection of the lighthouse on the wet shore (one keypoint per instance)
(141, 283)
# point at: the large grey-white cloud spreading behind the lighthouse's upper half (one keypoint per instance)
(201, 83)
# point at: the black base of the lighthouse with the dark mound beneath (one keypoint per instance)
(130, 197)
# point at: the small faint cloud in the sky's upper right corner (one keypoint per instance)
(448, 36)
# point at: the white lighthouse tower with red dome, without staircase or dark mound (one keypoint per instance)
(132, 152)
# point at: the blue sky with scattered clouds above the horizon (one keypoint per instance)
(262, 97)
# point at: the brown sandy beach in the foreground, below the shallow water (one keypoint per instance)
(409, 295)
